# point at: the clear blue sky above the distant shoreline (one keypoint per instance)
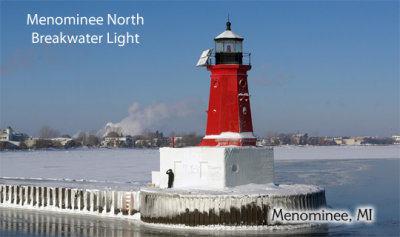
(325, 68)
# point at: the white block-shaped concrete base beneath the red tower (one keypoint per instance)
(215, 167)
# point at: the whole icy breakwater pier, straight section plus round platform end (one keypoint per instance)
(229, 207)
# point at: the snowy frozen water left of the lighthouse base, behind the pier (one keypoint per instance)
(89, 168)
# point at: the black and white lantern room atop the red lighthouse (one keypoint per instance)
(228, 47)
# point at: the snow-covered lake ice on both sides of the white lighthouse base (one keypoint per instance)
(121, 168)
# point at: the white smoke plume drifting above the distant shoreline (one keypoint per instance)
(149, 117)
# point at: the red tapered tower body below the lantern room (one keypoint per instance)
(229, 107)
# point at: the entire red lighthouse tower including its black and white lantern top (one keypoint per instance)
(228, 115)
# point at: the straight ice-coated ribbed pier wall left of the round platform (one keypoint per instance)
(83, 201)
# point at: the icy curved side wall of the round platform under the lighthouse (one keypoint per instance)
(193, 210)
